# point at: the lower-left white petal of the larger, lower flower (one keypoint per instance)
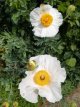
(28, 90)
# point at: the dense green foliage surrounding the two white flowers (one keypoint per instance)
(18, 44)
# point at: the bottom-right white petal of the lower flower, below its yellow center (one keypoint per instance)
(52, 93)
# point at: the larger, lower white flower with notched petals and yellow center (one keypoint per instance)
(45, 80)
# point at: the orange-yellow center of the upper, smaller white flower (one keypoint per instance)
(46, 20)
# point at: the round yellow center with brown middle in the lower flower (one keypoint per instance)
(42, 78)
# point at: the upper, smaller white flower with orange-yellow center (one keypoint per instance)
(46, 21)
